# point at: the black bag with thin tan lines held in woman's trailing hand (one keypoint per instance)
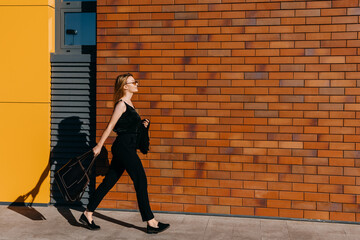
(73, 178)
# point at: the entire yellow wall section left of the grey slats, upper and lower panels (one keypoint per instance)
(25, 74)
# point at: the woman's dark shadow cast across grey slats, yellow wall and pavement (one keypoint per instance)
(71, 143)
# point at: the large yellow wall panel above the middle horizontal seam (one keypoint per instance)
(25, 57)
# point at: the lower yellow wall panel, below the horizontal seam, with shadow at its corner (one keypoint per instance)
(25, 151)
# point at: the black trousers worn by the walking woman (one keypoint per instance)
(125, 158)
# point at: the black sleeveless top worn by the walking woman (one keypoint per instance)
(129, 122)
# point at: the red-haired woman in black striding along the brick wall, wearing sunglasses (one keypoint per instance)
(126, 122)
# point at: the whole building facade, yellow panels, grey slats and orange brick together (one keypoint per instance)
(253, 103)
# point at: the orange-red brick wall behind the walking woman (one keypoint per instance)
(253, 103)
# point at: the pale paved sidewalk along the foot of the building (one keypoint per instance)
(61, 223)
